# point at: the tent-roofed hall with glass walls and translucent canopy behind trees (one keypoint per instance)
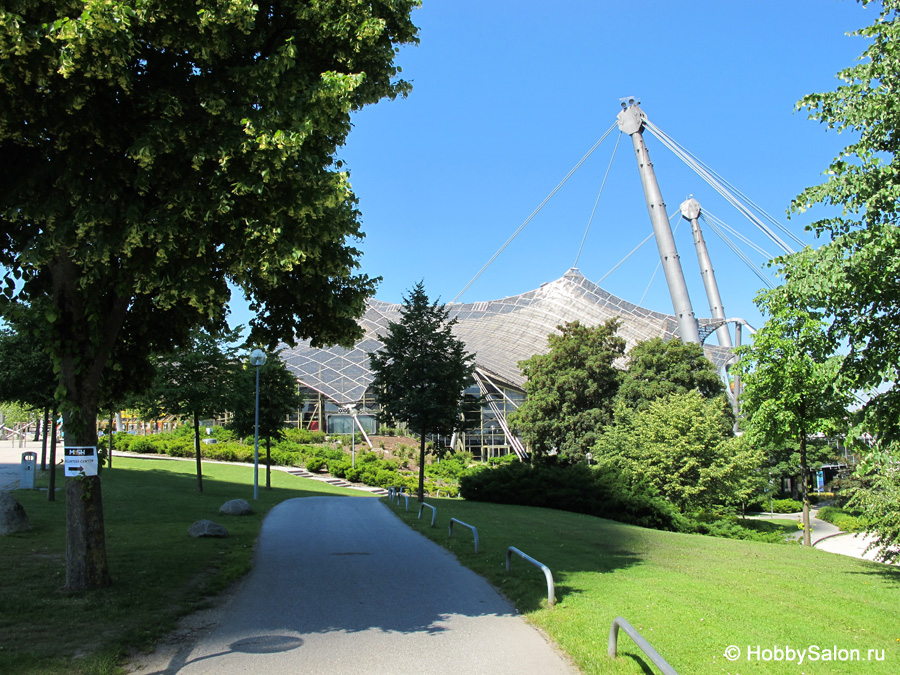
(500, 333)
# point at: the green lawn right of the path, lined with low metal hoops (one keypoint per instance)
(690, 596)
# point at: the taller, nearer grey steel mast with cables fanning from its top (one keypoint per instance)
(631, 121)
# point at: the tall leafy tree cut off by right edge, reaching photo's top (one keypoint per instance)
(853, 278)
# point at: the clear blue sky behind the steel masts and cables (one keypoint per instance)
(509, 94)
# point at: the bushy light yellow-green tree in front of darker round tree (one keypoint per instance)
(682, 448)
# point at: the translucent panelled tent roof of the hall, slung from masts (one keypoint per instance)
(499, 332)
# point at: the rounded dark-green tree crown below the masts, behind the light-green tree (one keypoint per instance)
(658, 368)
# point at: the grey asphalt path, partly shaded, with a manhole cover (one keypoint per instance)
(340, 585)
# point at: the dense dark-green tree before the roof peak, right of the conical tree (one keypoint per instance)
(570, 389)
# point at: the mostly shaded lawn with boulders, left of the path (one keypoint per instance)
(159, 572)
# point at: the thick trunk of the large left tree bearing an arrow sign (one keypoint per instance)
(86, 564)
